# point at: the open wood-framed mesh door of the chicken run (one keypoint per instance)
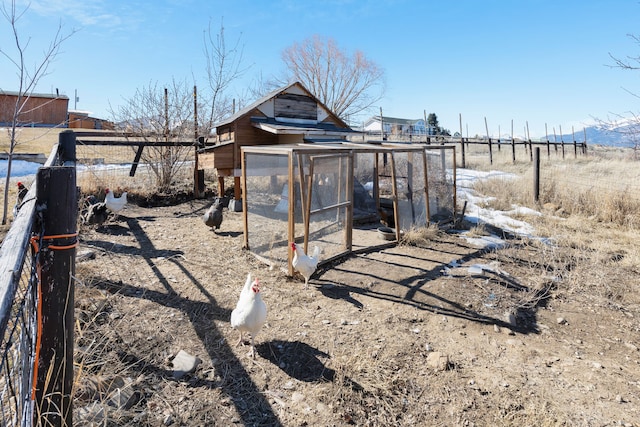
(327, 203)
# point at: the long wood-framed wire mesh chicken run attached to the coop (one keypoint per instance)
(343, 193)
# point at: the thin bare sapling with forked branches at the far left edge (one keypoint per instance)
(27, 77)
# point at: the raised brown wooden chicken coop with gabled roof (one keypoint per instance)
(289, 115)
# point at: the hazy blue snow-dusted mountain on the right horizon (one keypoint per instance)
(623, 134)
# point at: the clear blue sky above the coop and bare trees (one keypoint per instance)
(536, 61)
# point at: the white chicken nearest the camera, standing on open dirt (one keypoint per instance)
(250, 313)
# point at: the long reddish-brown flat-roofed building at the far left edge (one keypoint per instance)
(40, 110)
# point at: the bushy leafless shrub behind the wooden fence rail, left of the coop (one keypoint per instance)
(159, 118)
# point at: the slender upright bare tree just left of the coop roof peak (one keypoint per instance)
(223, 68)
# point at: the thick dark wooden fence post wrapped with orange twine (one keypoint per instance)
(56, 198)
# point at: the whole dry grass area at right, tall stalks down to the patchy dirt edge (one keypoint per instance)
(592, 211)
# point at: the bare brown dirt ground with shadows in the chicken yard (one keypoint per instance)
(402, 336)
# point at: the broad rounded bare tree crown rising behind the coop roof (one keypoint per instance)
(348, 85)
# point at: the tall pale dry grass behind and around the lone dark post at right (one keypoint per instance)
(598, 187)
